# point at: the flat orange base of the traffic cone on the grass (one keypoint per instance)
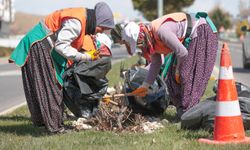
(208, 141)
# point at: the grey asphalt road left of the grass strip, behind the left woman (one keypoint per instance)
(11, 88)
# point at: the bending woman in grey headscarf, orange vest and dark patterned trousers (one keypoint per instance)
(43, 53)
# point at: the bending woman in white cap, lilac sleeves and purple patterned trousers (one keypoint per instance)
(192, 39)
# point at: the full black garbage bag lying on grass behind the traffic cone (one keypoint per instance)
(202, 115)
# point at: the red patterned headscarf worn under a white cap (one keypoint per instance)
(145, 40)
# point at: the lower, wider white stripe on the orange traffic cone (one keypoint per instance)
(227, 108)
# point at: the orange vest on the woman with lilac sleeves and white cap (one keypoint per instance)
(159, 46)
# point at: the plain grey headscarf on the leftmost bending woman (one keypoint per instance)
(104, 15)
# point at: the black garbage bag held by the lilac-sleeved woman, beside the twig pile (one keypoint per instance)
(155, 102)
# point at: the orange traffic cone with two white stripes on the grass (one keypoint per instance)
(228, 121)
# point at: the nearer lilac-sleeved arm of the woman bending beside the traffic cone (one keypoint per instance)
(168, 34)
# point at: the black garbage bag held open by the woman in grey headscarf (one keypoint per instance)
(84, 85)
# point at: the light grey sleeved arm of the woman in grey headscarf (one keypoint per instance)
(70, 31)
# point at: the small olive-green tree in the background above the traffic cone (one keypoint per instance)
(220, 18)
